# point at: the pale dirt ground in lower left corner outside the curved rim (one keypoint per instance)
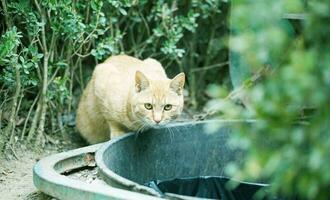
(16, 180)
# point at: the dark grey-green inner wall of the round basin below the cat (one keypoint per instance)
(181, 151)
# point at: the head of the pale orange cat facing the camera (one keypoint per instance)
(157, 102)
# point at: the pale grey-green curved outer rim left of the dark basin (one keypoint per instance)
(48, 180)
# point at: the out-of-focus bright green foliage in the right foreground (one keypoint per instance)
(289, 144)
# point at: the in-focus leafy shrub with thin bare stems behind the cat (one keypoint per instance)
(49, 48)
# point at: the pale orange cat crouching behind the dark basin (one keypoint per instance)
(127, 94)
